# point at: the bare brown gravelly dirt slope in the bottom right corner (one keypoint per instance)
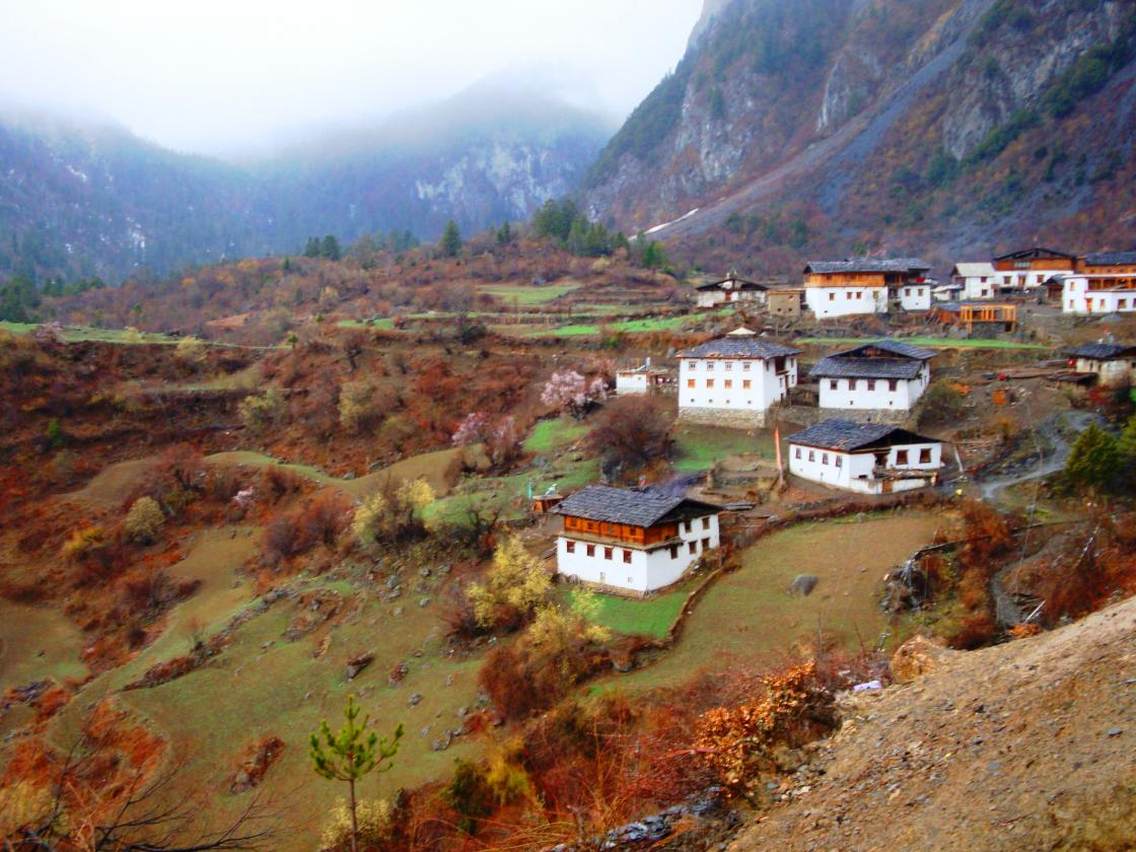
(1025, 746)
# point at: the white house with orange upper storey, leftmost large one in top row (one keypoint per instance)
(866, 286)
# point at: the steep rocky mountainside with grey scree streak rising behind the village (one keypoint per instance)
(941, 128)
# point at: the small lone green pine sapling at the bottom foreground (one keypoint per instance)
(353, 754)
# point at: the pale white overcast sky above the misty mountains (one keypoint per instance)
(235, 77)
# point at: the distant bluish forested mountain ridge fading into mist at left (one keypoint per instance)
(83, 198)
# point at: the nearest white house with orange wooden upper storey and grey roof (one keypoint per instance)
(633, 540)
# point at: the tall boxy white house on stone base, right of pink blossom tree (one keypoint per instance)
(736, 380)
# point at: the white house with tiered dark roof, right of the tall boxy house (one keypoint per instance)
(886, 375)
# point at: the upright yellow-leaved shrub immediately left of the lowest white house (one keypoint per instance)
(514, 588)
